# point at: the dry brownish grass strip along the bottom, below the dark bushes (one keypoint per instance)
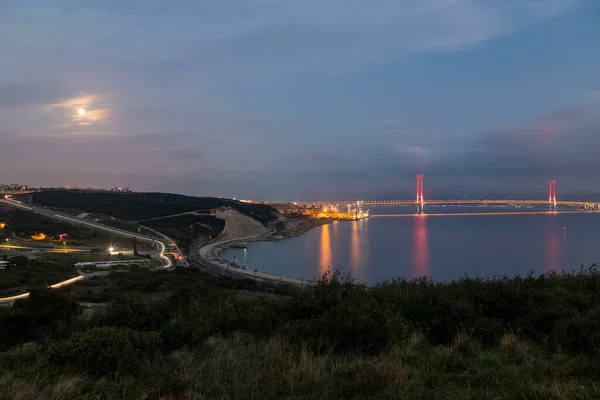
(243, 367)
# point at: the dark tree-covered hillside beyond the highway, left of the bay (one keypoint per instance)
(142, 206)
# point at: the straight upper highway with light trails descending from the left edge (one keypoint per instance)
(67, 218)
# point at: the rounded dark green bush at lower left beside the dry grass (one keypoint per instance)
(106, 350)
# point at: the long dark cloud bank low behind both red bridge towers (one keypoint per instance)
(562, 145)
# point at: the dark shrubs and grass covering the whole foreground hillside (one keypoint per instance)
(524, 337)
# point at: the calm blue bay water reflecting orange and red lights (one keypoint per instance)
(443, 247)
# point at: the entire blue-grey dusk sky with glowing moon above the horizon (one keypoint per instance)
(302, 100)
